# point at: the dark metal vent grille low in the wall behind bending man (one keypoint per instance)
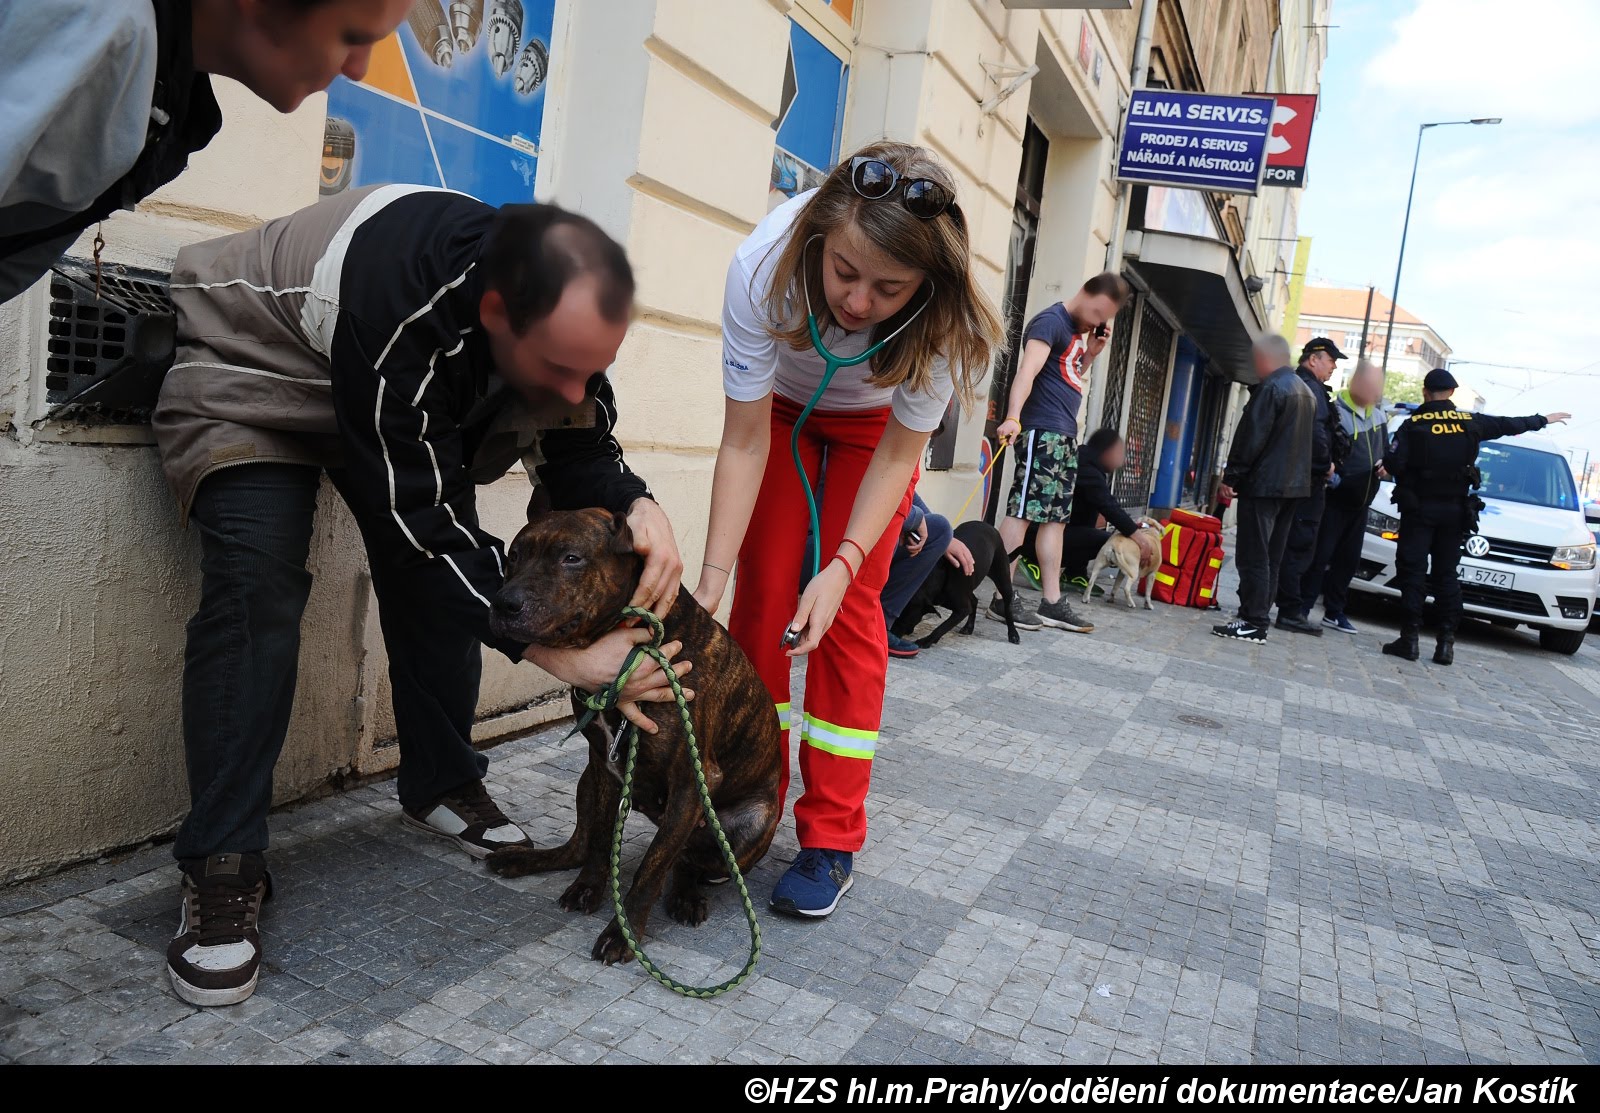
(108, 354)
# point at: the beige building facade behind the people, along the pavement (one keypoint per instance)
(658, 121)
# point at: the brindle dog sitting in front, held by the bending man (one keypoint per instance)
(569, 580)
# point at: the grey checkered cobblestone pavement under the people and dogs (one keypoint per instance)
(1146, 844)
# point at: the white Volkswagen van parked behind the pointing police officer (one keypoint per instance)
(1534, 557)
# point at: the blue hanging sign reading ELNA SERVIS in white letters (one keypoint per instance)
(1196, 142)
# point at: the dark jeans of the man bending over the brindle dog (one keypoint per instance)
(242, 658)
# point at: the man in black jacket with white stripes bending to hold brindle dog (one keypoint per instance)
(410, 343)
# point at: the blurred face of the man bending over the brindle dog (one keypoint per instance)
(559, 356)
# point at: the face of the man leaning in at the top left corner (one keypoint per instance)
(286, 52)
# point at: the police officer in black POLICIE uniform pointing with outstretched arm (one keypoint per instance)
(1433, 458)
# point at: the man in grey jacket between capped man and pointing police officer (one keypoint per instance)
(1351, 492)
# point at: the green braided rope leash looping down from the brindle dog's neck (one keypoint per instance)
(609, 698)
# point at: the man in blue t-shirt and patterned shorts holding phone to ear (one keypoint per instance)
(1042, 420)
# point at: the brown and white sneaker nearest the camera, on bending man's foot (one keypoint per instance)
(215, 959)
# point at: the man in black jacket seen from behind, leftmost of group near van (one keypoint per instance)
(1270, 473)
